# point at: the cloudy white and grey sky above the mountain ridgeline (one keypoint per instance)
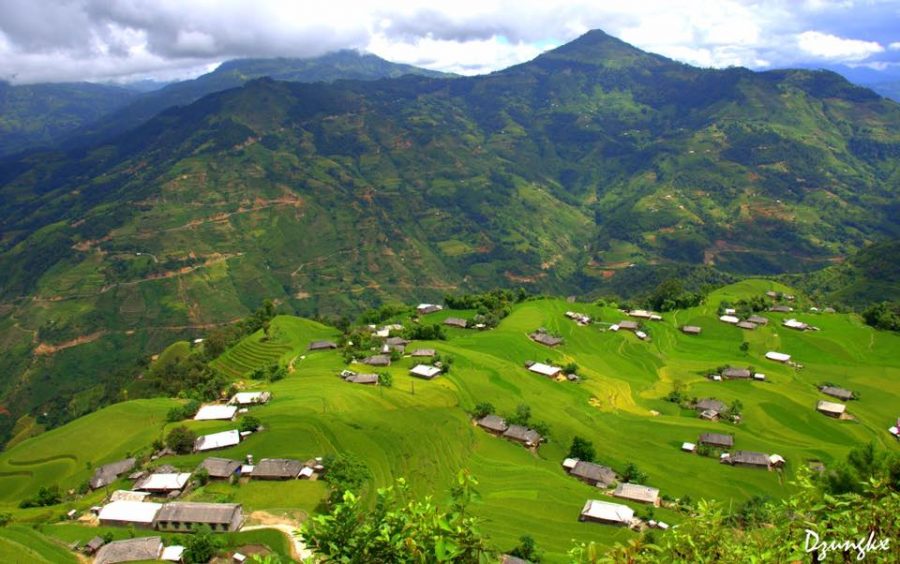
(98, 40)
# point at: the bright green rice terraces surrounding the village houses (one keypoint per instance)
(635, 399)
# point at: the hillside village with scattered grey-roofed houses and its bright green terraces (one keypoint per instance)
(657, 397)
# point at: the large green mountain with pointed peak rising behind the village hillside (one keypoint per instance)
(557, 174)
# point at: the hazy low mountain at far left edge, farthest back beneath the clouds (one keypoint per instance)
(39, 114)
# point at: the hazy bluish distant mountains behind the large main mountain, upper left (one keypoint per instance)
(80, 114)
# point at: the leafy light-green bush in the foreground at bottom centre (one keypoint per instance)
(399, 529)
